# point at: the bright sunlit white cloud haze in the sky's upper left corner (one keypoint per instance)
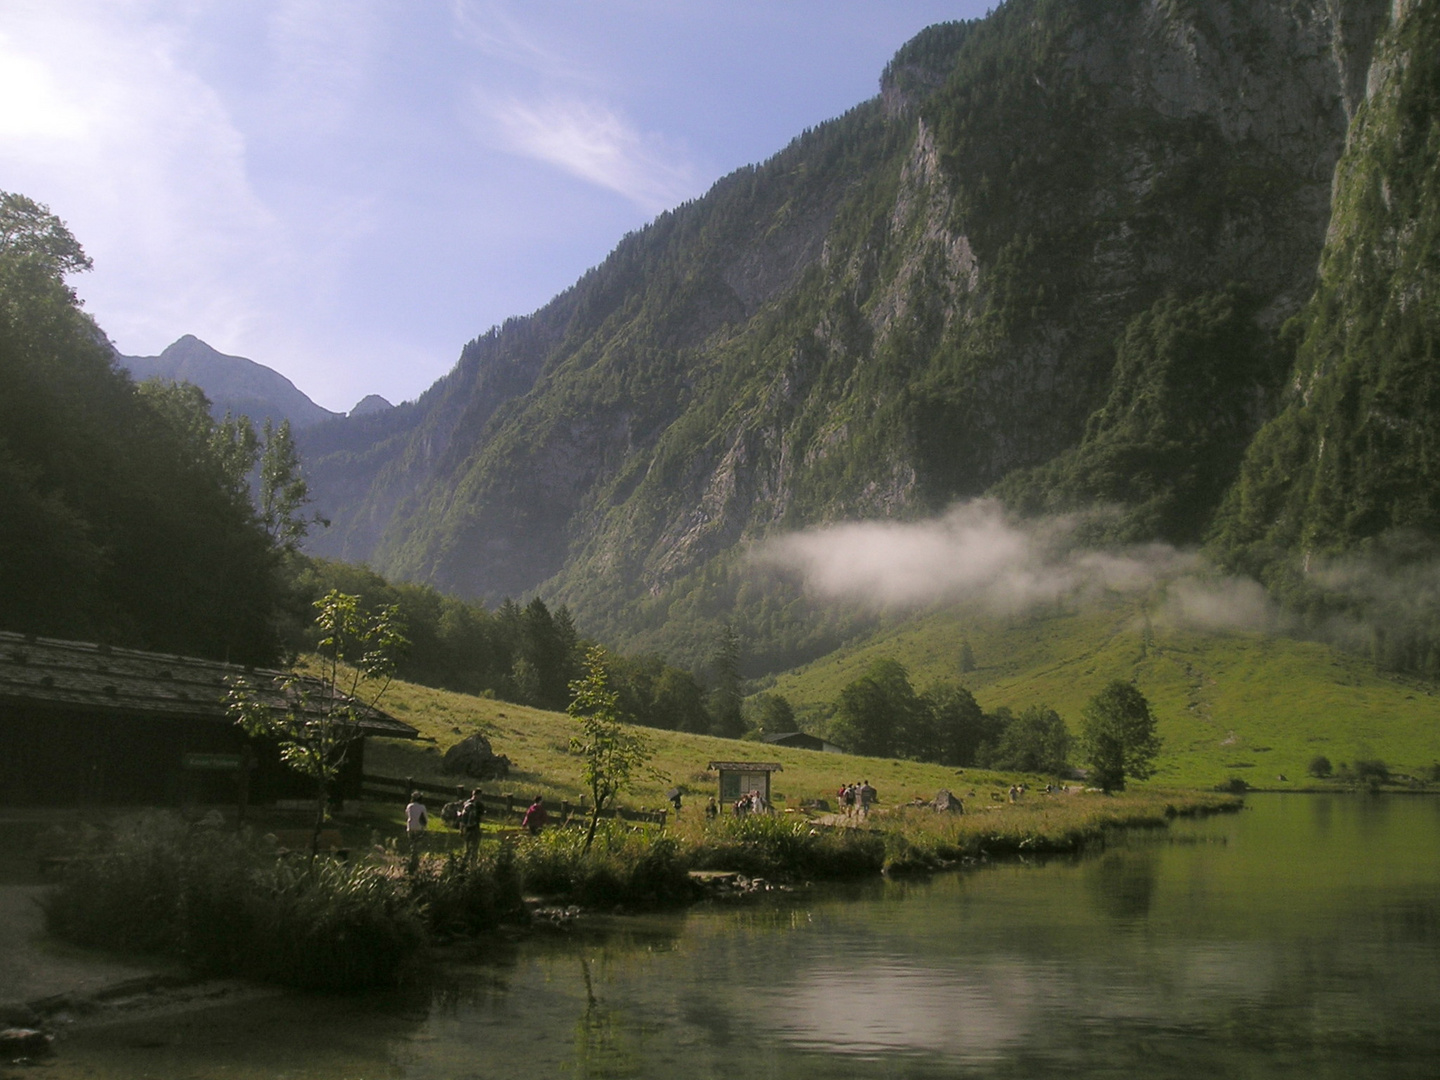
(116, 132)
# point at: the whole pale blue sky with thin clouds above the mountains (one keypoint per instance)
(349, 192)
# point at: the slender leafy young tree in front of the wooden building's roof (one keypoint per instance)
(322, 718)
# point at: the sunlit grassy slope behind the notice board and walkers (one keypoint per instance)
(538, 745)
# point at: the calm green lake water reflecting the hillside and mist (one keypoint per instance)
(1297, 940)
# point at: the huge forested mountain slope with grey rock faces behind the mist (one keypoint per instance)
(1053, 258)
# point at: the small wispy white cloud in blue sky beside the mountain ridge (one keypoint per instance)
(591, 142)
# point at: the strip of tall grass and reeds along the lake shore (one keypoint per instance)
(227, 904)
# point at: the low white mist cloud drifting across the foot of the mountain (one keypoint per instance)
(980, 554)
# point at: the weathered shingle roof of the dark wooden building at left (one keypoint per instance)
(48, 672)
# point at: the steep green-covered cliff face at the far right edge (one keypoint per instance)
(1349, 467)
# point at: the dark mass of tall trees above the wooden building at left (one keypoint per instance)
(127, 518)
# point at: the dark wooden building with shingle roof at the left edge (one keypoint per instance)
(84, 724)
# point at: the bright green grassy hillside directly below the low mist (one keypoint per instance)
(1229, 703)
